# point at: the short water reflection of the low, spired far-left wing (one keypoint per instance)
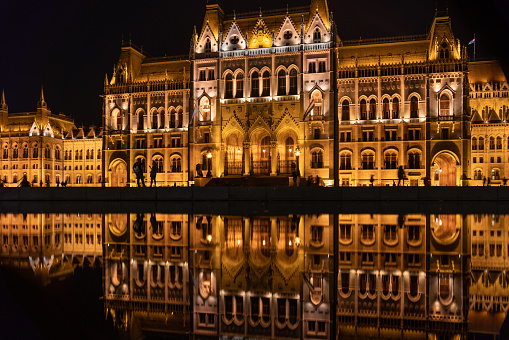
(52, 245)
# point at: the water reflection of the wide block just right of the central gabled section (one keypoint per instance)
(387, 285)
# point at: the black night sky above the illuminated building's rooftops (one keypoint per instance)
(68, 46)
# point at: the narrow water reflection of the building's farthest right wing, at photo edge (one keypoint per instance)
(489, 291)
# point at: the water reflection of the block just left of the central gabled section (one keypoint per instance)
(146, 276)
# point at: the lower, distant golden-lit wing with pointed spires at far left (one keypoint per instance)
(48, 148)
